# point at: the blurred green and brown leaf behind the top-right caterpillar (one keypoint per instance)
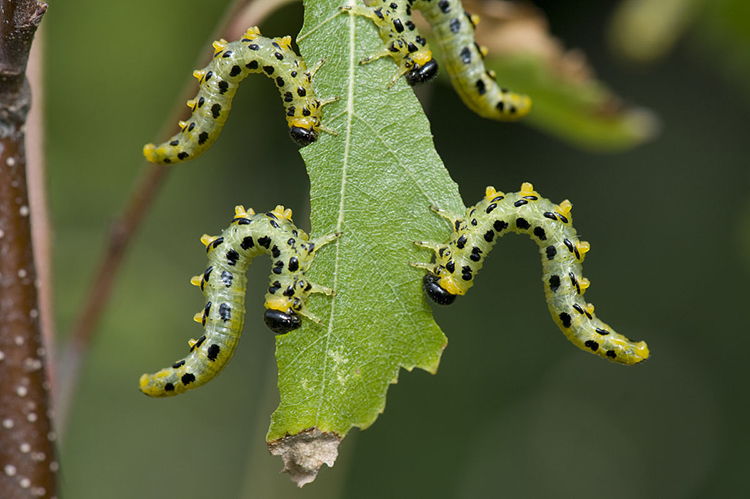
(569, 101)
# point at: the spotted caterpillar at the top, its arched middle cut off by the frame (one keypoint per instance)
(453, 29)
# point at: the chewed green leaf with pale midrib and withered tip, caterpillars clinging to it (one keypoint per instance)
(374, 183)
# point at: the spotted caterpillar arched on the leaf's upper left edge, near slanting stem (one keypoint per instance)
(218, 81)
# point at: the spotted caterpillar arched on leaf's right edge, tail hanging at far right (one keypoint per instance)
(550, 225)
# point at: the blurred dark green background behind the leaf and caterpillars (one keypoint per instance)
(515, 410)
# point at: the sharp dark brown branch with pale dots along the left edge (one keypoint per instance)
(27, 452)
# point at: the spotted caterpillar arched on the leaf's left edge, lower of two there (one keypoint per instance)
(224, 283)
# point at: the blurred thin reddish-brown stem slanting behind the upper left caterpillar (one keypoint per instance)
(240, 15)
